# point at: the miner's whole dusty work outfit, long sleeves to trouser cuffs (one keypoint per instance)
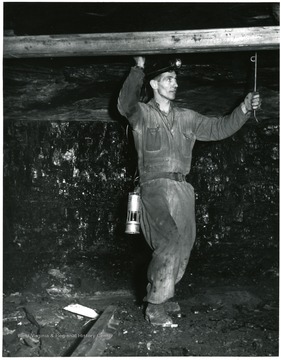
(164, 145)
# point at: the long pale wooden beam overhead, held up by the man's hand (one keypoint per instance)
(115, 44)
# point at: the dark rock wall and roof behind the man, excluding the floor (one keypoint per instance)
(69, 162)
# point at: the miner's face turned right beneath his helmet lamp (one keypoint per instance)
(165, 85)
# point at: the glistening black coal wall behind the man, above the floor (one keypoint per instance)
(66, 182)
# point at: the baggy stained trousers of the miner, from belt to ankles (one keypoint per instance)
(161, 202)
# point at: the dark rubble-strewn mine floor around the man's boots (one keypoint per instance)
(226, 310)
